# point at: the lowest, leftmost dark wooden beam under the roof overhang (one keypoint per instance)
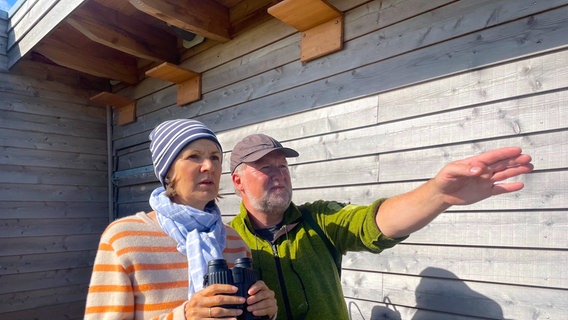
(65, 42)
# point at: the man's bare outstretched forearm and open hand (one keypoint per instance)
(460, 182)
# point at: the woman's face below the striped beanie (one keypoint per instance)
(195, 174)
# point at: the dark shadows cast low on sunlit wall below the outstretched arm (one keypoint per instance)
(440, 295)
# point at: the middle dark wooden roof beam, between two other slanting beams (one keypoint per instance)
(117, 31)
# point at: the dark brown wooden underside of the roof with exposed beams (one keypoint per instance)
(120, 40)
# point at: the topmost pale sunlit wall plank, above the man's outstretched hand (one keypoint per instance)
(501, 82)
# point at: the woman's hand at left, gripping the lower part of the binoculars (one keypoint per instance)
(209, 303)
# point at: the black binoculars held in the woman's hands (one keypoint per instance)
(242, 276)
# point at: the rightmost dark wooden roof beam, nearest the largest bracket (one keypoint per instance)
(204, 17)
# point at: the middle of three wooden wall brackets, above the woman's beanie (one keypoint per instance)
(188, 82)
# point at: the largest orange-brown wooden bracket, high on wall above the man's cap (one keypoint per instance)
(321, 25)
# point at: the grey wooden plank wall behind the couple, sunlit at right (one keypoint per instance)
(418, 83)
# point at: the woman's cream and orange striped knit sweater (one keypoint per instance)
(139, 274)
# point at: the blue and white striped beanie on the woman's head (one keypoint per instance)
(170, 137)
